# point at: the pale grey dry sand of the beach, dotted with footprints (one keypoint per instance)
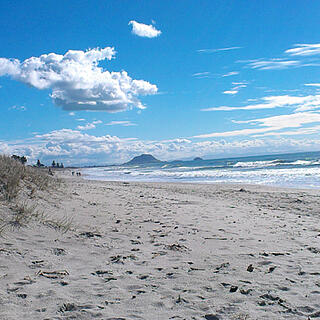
(166, 251)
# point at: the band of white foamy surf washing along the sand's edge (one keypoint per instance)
(295, 177)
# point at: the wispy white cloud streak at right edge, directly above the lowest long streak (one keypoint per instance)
(303, 103)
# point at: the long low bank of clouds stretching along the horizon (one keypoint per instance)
(73, 147)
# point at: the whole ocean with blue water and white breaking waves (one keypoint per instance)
(295, 170)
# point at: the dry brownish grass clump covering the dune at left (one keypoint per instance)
(19, 188)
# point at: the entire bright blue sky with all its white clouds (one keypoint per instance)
(101, 81)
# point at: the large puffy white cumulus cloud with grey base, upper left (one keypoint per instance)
(78, 82)
